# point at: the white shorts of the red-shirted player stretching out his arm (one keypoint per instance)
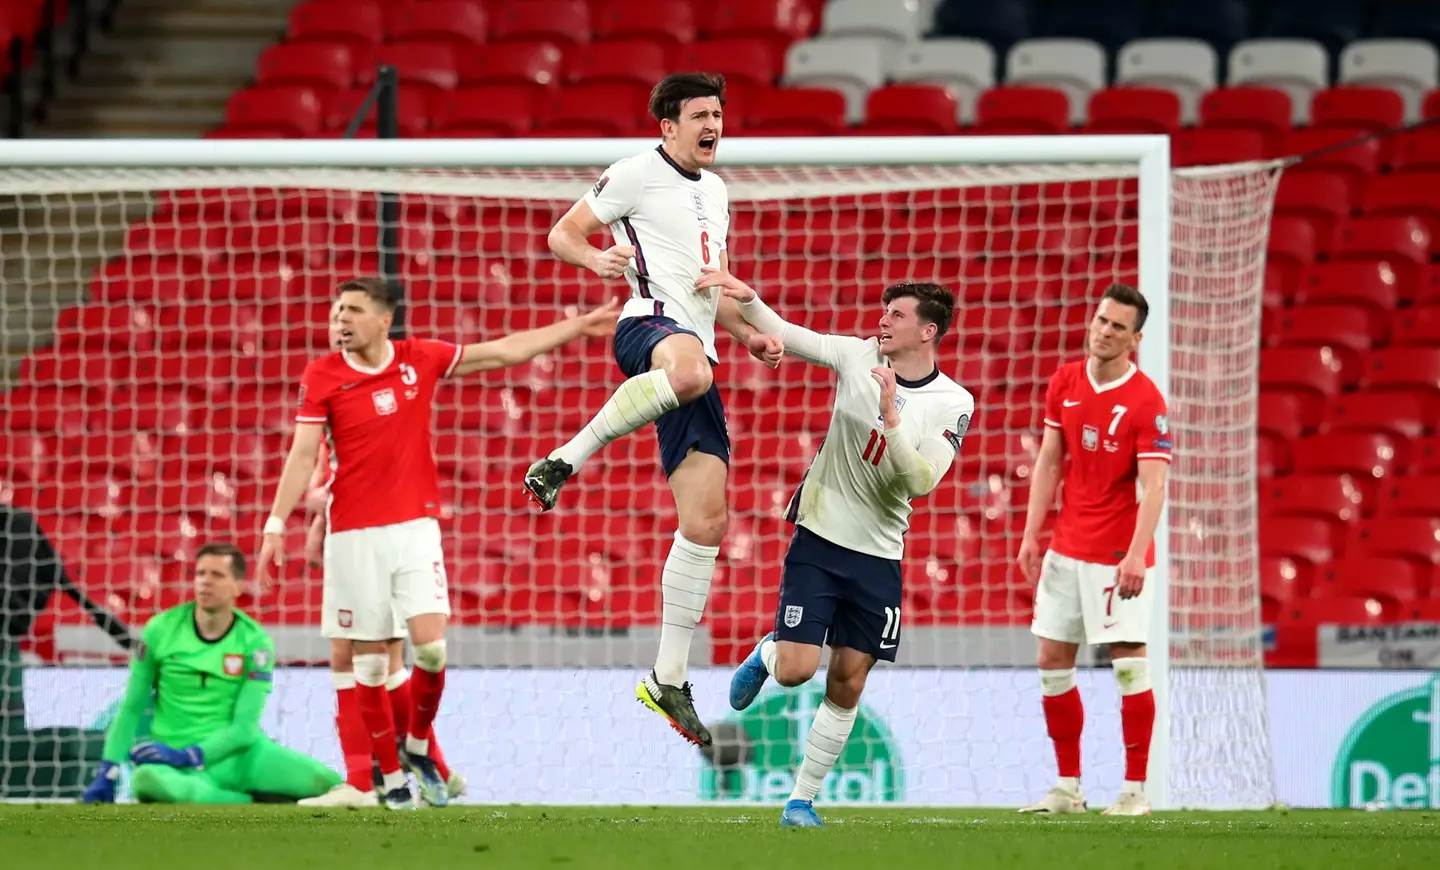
(378, 578)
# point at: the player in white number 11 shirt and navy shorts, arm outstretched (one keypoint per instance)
(895, 431)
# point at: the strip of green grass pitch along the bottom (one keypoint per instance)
(44, 838)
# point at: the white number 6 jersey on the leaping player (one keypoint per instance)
(678, 223)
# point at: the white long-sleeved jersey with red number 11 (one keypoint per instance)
(852, 495)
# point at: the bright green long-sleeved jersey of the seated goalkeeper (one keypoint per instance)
(205, 694)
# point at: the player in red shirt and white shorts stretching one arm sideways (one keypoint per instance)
(384, 558)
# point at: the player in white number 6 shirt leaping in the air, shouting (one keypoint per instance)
(669, 217)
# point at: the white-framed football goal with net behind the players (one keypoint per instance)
(188, 295)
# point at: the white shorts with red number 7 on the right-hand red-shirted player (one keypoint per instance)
(1078, 603)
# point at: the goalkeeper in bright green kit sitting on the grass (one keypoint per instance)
(207, 668)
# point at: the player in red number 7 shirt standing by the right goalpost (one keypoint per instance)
(1107, 423)
